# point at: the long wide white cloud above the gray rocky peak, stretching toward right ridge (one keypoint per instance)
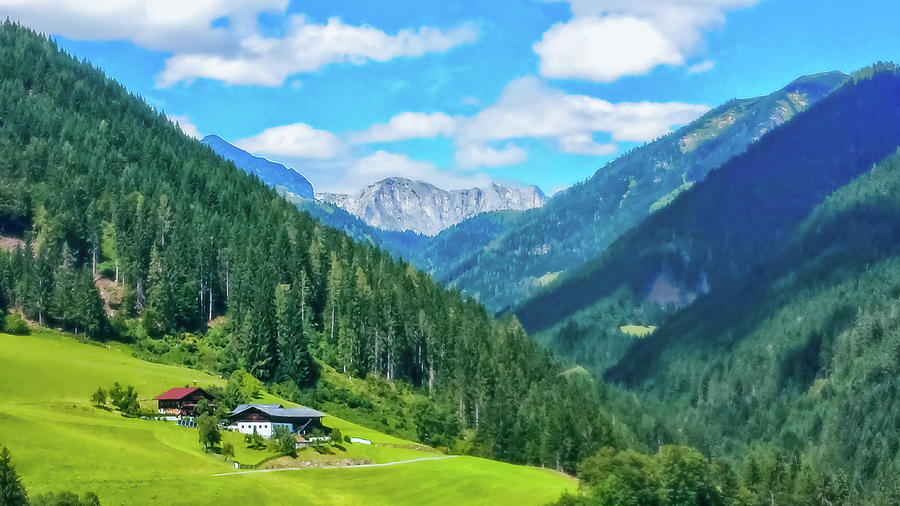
(529, 108)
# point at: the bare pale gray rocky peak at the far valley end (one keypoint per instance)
(402, 204)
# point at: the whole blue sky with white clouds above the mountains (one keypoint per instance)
(458, 94)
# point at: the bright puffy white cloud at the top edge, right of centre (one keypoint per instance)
(608, 39)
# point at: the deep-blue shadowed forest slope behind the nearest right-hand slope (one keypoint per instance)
(712, 237)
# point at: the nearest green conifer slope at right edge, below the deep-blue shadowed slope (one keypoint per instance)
(803, 354)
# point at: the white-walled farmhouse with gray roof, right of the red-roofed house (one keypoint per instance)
(266, 417)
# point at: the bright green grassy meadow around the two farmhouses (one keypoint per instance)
(60, 442)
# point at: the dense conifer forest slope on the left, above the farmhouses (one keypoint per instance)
(95, 181)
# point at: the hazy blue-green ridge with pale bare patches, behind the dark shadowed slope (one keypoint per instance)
(578, 224)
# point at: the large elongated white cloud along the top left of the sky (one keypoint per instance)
(220, 39)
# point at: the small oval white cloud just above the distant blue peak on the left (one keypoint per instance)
(298, 140)
